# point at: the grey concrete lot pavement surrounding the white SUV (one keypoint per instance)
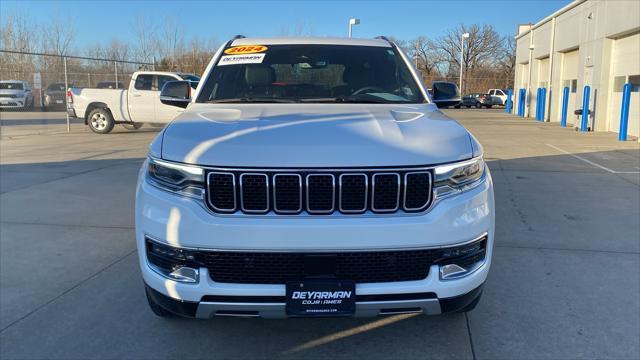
(565, 281)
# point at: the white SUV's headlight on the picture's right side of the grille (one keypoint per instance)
(458, 177)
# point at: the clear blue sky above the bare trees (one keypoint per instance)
(101, 21)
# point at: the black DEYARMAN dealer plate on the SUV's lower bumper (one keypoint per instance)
(321, 298)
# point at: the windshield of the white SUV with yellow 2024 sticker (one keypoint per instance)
(311, 73)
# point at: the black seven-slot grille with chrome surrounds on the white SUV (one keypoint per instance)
(319, 193)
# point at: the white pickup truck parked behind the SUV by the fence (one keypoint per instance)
(103, 108)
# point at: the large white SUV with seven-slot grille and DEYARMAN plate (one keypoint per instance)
(312, 177)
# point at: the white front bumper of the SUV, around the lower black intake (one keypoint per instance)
(184, 222)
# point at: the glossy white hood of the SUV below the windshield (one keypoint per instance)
(314, 135)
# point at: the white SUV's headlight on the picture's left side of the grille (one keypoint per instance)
(181, 179)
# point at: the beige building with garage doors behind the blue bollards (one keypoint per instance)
(587, 42)
